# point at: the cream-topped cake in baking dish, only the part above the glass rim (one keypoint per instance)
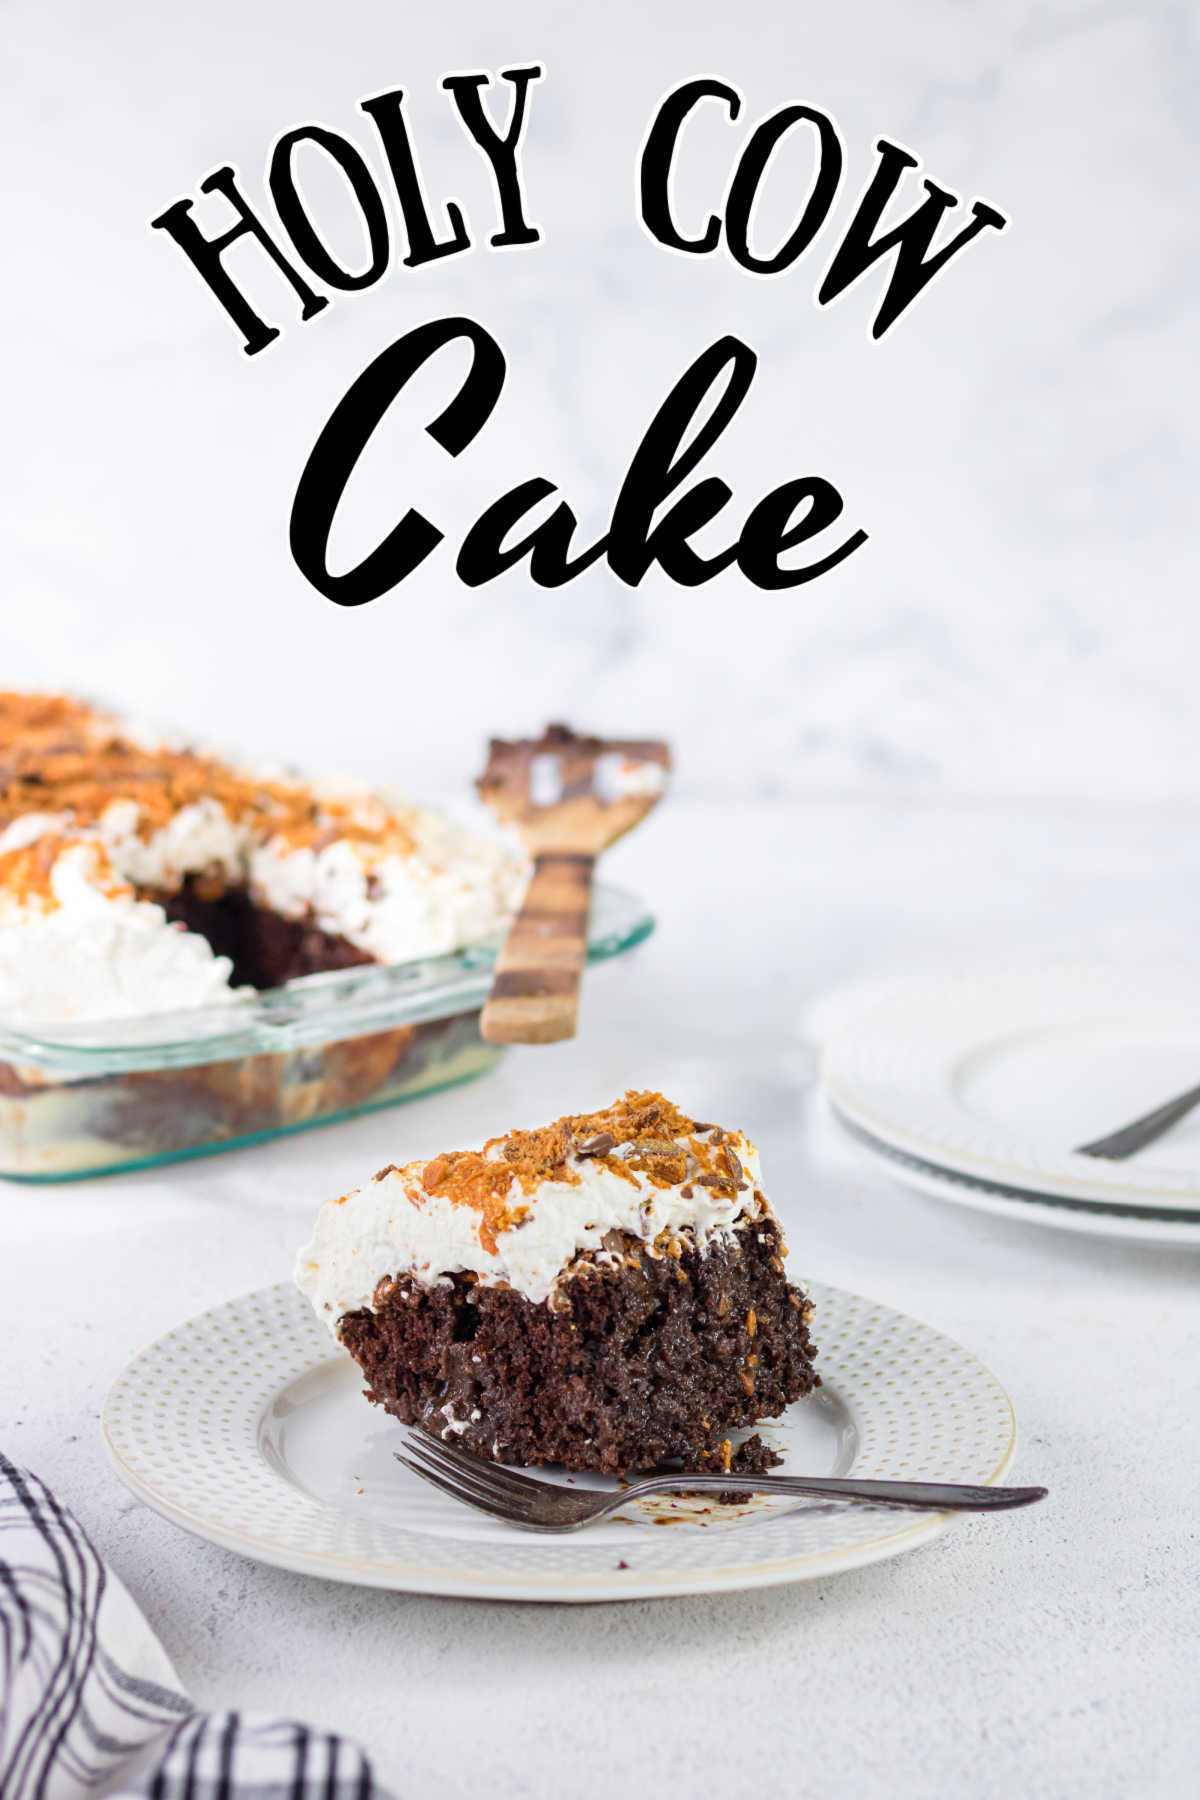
(145, 877)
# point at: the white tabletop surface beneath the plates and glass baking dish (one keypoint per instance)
(1044, 1655)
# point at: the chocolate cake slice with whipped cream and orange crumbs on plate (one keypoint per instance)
(605, 1293)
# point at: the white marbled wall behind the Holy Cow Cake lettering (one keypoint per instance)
(1023, 445)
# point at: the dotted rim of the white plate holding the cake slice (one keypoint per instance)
(555, 1587)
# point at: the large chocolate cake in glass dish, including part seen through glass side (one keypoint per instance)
(141, 877)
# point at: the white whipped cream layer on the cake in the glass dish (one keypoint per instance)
(114, 957)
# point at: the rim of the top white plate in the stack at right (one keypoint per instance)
(1084, 1185)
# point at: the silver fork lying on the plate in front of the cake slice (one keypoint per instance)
(542, 1507)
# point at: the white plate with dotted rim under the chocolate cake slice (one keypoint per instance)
(249, 1428)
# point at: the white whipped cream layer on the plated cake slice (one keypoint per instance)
(395, 1228)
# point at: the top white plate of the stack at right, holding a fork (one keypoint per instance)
(996, 1075)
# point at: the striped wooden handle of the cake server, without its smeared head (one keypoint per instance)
(535, 994)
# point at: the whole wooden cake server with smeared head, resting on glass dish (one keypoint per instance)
(569, 798)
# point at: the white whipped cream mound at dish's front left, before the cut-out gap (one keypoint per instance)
(102, 957)
